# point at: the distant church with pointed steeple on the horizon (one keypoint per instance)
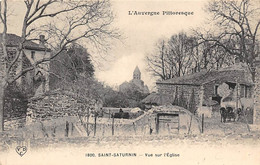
(135, 84)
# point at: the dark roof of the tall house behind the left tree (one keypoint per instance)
(13, 40)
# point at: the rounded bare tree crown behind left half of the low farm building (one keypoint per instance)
(172, 58)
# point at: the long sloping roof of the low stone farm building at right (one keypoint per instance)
(231, 74)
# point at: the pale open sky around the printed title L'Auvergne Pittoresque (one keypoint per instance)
(139, 35)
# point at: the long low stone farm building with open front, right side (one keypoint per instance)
(215, 86)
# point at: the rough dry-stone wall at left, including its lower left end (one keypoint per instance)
(48, 107)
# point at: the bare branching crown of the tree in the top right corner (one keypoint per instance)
(237, 24)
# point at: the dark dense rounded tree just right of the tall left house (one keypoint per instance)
(72, 64)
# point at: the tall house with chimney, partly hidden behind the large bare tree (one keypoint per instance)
(37, 80)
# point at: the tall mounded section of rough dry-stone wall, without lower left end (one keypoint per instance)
(57, 105)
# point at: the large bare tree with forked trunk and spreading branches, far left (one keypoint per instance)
(63, 22)
